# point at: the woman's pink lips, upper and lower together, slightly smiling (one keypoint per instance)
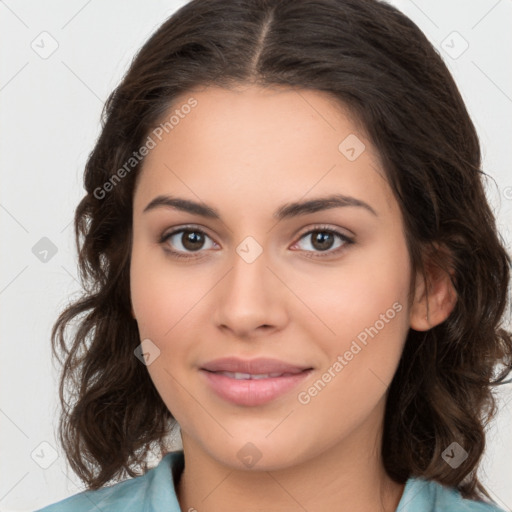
(252, 392)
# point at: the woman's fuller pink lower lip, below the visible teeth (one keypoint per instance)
(252, 392)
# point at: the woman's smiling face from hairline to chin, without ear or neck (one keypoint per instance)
(323, 289)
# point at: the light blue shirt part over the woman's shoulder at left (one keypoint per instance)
(156, 485)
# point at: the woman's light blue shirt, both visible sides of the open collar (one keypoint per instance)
(155, 492)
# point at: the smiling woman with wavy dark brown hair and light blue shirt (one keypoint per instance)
(334, 342)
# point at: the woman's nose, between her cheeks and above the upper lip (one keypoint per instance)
(251, 298)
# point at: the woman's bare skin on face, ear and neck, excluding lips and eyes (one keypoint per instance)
(247, 151)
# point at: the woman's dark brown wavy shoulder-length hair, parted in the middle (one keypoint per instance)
(376, 62)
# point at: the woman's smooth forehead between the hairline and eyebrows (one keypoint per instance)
(276, 142)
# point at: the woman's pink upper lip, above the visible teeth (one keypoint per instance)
(257, 366)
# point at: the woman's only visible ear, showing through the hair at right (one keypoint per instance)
(434, 301)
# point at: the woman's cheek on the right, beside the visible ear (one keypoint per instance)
(362, 305)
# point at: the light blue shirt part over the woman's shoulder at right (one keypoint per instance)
(422, 495)
